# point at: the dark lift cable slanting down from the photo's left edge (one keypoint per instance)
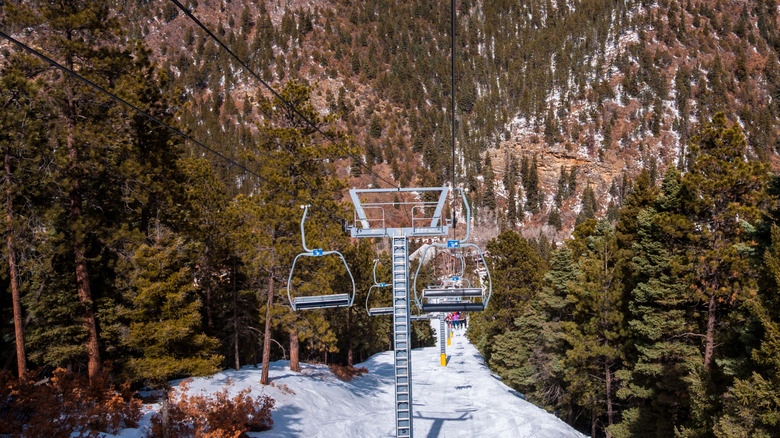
(113, 96)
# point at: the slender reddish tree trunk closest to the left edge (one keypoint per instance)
(21, 357)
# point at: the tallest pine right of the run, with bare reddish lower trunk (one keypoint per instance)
(720, 191)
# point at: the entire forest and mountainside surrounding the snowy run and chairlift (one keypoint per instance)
(620, 158)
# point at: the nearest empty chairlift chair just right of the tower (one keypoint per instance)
(454, 297)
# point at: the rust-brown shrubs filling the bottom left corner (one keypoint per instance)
(65, 404)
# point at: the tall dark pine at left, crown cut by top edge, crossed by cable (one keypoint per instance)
(82, 35)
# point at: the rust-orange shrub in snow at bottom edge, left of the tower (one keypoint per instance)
(215, 416)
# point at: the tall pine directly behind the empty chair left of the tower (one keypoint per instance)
(294, 163)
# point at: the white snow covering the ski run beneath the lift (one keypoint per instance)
(462, 399)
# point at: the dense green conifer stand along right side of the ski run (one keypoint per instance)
(661, 322)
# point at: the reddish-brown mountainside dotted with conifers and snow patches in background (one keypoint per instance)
(597, 88)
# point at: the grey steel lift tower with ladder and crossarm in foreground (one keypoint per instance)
(426, 220)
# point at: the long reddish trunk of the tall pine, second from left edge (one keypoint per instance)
(79, 254)
